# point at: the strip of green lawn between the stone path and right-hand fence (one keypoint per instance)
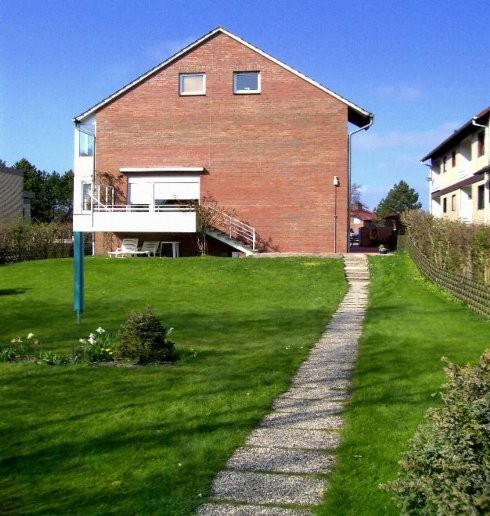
(409, 326)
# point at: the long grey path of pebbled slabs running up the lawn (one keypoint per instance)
(280, 471)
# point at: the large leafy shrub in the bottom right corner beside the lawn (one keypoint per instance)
(447, 467)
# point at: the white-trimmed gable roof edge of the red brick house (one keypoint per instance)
(356, 114)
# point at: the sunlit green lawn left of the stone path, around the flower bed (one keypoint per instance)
(98, 440)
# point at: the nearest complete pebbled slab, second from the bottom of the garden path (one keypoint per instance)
(267, 488)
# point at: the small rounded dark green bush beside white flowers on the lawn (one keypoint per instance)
(144, 339)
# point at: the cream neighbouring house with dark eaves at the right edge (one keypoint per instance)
(460, 173)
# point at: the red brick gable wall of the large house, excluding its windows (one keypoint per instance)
(270, 157)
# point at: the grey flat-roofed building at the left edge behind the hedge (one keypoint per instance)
(15, 203)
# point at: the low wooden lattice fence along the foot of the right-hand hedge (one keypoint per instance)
(476, 295)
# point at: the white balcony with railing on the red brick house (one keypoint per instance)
(148, 218)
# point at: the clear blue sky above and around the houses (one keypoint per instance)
(421, 66)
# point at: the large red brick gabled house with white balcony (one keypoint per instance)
(220, 119)
